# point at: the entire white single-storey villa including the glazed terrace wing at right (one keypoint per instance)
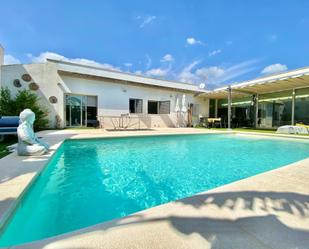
(78, 95)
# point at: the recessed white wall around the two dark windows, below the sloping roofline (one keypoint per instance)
(113, 100)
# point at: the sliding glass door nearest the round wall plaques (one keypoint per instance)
(76, 110)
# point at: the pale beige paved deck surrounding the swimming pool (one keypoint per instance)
(270, 210)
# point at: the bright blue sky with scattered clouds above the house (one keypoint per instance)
(210, 42)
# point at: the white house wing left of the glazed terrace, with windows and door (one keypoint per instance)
(77, 95)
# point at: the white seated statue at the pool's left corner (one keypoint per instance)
(28, 143)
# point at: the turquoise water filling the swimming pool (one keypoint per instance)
(92, 181)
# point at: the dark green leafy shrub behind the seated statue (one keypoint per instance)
(23, 99)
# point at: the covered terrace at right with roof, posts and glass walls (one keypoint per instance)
(266, 102)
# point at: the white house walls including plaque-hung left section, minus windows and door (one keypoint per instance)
(113, 98)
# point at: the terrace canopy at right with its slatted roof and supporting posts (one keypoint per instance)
(291, 80)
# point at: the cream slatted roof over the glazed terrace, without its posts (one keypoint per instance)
(288, 80)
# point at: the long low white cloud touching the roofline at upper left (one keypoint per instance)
(50, 55)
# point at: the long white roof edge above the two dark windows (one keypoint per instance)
(82, 69)
